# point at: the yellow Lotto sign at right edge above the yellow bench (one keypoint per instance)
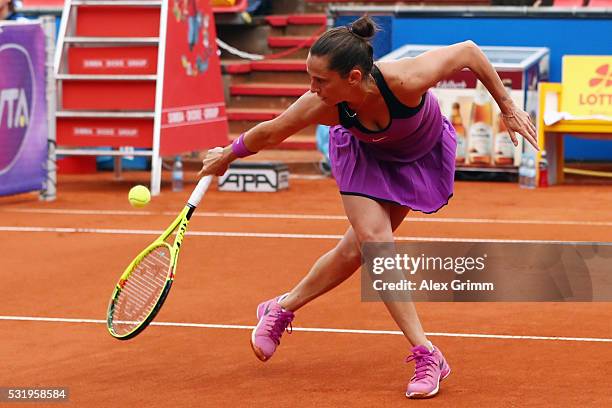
(587, 85)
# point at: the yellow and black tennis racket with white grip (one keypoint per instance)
(145, 283)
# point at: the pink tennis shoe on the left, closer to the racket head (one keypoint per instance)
(273, 321)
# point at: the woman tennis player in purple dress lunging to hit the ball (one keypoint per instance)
(391, 151)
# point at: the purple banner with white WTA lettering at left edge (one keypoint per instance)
(23, 108)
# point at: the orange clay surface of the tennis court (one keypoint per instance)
(221, 279)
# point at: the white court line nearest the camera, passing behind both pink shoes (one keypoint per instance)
(317, 330)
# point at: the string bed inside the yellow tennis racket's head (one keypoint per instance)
(141, 291)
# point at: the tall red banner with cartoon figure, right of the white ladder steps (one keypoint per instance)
(193, 111)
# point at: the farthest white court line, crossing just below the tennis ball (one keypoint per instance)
(312, 217)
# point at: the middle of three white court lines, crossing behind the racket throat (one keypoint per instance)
(65, 230)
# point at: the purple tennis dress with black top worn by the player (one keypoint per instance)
(410, 163)
